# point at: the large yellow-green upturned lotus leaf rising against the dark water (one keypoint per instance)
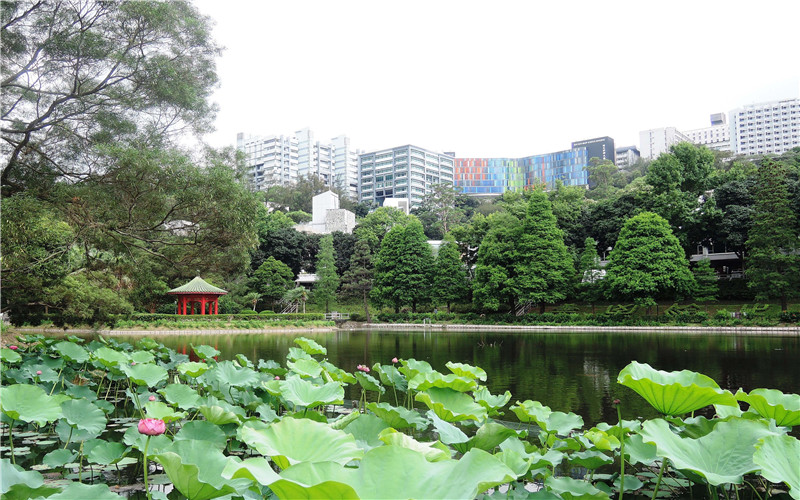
(674, 393)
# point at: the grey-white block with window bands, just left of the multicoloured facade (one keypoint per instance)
(402, 172)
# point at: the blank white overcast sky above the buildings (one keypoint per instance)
(495, 78)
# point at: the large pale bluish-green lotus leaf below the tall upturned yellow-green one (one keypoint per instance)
(723, 455)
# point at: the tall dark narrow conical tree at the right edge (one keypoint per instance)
(774, 241)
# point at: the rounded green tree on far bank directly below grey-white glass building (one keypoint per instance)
(403, 267)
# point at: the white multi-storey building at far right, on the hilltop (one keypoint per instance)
(769, 127)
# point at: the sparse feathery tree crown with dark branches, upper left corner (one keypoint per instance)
(80, 74)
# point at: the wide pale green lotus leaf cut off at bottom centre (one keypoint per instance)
(411, 476)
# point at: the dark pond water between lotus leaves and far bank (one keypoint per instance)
(567, 371)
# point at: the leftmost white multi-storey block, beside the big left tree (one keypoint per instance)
(272, 160)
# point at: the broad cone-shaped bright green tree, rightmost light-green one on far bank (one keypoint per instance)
(648, 262)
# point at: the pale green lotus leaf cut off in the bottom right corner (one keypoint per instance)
(779, 459)
